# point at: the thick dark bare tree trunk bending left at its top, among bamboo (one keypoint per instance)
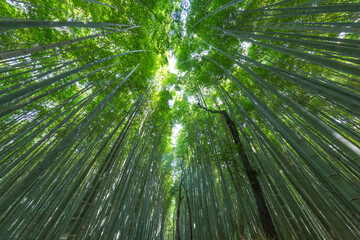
(251, 173)
